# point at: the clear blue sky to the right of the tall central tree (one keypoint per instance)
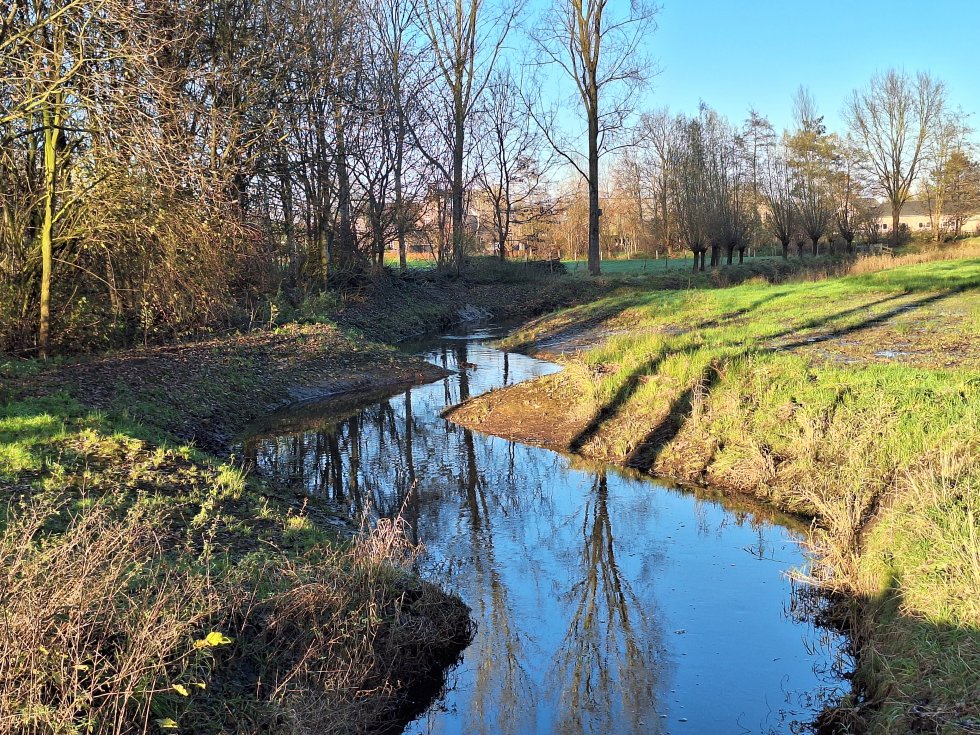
(733, 54)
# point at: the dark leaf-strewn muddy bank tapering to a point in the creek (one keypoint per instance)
(205, 392)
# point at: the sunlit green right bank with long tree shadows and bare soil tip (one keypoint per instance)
(855, 400)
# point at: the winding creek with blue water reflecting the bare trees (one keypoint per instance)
(605, 601)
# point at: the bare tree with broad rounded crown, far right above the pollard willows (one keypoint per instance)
(893, 120)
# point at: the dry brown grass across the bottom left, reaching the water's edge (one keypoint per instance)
(106, 629)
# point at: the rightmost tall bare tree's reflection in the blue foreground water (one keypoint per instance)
(607, 668)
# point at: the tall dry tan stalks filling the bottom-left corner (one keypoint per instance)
(97, 633)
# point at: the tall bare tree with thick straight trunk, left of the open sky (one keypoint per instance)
(599, 49)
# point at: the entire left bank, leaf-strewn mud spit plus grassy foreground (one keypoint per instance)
(146, 586)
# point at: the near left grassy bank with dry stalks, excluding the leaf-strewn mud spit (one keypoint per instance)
(120, 551)
